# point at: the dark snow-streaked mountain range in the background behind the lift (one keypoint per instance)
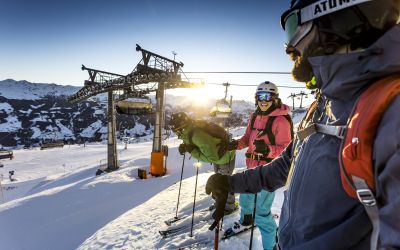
(33, 113)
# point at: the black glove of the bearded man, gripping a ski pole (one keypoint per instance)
(218, 186)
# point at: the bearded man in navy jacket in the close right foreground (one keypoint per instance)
(341, 48)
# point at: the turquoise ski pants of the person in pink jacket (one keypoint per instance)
(263, 219)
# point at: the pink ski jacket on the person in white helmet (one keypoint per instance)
(280, 128)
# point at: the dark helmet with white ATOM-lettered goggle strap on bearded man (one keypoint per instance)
(339, 22)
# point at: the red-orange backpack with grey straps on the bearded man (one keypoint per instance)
(356, 150)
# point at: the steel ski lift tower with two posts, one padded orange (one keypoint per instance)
(152, 68)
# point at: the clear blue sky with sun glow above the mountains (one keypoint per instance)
(48, 41)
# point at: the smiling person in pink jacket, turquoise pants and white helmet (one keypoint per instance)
(268, 133)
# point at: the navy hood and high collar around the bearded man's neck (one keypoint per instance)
(342, 76)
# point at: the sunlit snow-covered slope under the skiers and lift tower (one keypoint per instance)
(57, 201)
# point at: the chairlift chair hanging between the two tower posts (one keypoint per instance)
(135, 106)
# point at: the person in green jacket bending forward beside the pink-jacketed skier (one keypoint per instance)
(205, 147)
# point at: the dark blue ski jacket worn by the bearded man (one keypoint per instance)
(316, 212)
